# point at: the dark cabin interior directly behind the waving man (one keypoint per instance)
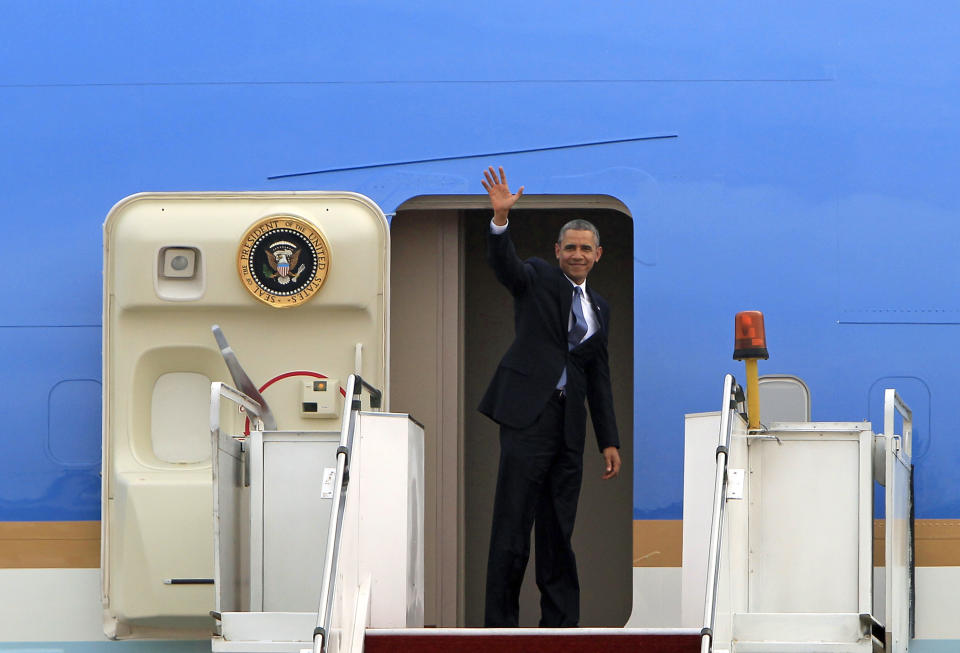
(602, 538)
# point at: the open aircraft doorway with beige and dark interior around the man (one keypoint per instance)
(450, 323)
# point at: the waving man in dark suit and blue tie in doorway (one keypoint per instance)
(557, 362)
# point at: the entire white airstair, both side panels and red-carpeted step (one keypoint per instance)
(789, 568)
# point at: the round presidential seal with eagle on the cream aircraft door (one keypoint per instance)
(283, 260)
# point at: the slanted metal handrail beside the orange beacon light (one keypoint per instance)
(732, 398)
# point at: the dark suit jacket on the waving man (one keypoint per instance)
(529, 371)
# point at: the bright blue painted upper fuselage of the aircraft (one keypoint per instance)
(811, 176)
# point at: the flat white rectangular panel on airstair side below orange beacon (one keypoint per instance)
(804, 521)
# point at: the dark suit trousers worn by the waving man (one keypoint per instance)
(538, 481)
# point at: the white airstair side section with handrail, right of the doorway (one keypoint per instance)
(789, 520)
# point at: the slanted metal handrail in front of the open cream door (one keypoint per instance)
(355, 386)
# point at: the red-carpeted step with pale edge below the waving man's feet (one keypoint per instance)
(533, 640)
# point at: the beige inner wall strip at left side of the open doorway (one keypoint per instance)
(426, 382)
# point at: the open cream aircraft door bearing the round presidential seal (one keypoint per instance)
(298, 282)
